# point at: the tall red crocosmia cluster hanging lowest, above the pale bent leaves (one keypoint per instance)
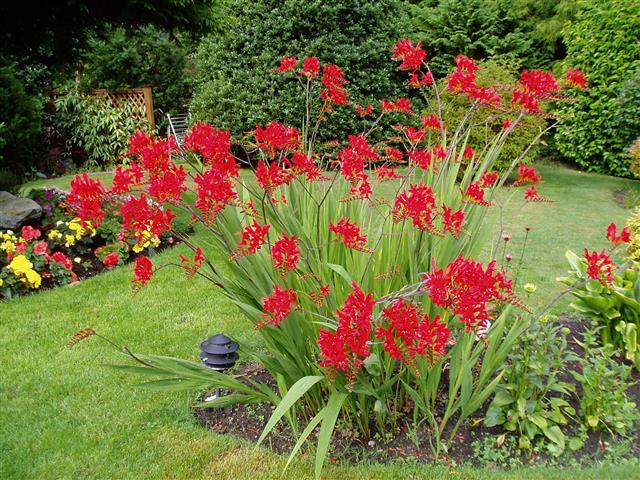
(345, 349)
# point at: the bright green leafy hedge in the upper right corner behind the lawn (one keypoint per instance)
(603, 42)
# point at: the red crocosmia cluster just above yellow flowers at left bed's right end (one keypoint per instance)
(144, 220)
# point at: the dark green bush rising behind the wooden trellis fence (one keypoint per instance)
(116, 58)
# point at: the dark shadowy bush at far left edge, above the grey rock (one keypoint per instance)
(20, 124)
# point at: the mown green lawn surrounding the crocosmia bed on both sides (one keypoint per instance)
(65, 415)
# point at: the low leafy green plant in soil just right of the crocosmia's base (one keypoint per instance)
(532, 399)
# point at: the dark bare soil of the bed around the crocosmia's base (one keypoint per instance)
(248, 421)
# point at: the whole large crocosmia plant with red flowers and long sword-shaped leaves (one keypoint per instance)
(356, 260)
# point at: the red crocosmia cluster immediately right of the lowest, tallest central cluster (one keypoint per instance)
(407, 333)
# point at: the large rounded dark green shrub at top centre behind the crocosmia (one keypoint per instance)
(235, 86)
